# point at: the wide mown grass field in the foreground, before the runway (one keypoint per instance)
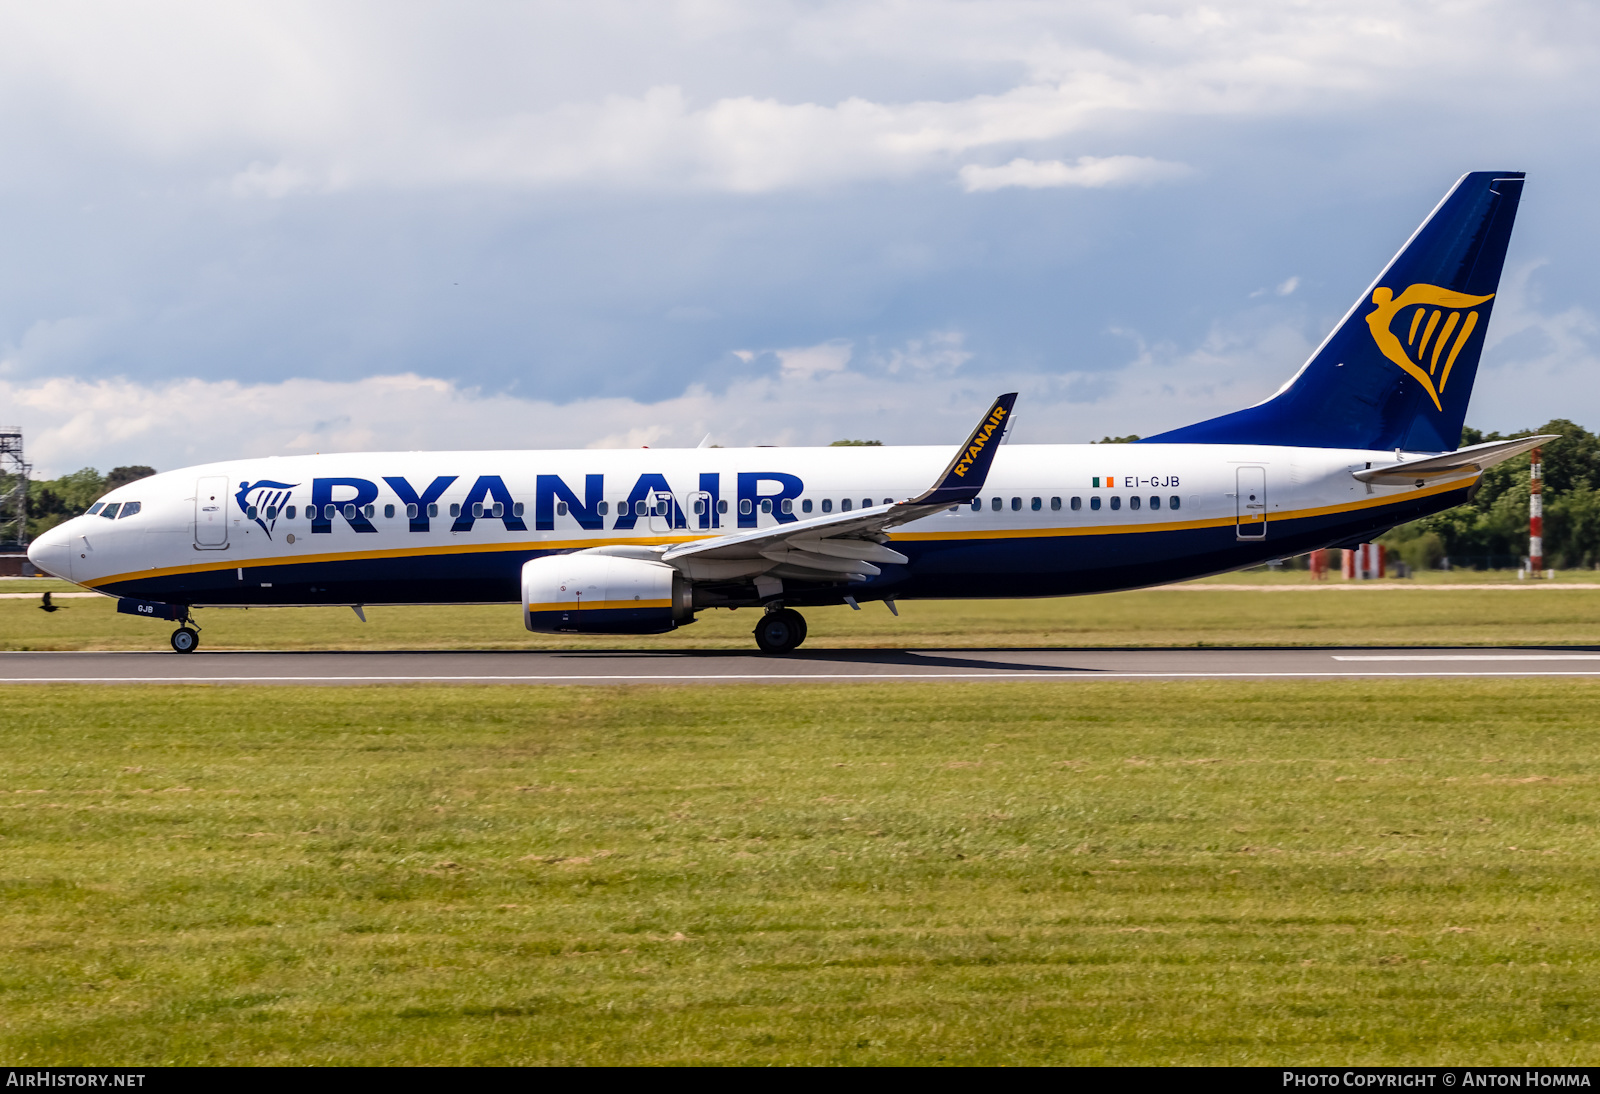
(1071, 872)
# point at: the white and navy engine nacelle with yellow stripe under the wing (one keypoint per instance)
(604, 596)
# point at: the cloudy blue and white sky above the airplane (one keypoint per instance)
(281, 228)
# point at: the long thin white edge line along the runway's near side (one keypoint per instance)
(1066, 674)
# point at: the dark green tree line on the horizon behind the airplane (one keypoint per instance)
(1487, 533)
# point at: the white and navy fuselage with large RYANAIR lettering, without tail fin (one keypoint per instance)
(425, 527)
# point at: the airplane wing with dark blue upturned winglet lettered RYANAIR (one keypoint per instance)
(844, 548)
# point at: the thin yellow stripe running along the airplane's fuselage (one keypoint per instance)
(580, 545)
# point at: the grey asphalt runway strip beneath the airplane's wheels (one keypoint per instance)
(807, 666)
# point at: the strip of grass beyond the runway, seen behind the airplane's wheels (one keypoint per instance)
(1273, 610)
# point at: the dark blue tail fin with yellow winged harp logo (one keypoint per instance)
(1399, 369)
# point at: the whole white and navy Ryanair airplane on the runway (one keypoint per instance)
(1364, 437)
